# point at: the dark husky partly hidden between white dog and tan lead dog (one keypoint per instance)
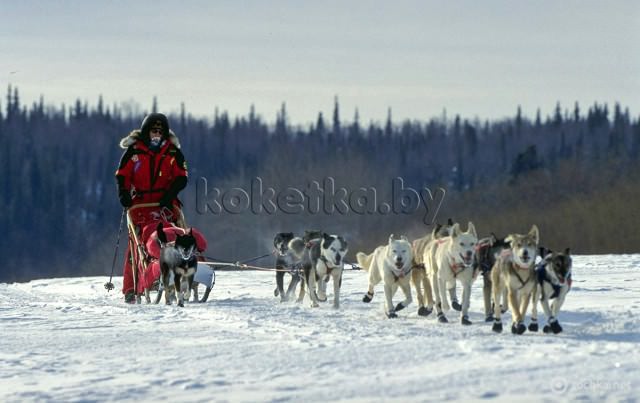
(487, 252)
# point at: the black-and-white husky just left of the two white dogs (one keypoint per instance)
(325, 262)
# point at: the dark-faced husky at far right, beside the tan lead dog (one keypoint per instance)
(553, 276)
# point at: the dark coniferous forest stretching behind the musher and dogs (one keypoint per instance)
(571, 169)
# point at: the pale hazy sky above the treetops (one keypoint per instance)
(475, 58)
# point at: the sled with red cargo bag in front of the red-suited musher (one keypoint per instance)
(142, 225)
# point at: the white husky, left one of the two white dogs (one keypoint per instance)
(392, 264)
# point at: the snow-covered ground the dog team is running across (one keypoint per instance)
(69, 340)
